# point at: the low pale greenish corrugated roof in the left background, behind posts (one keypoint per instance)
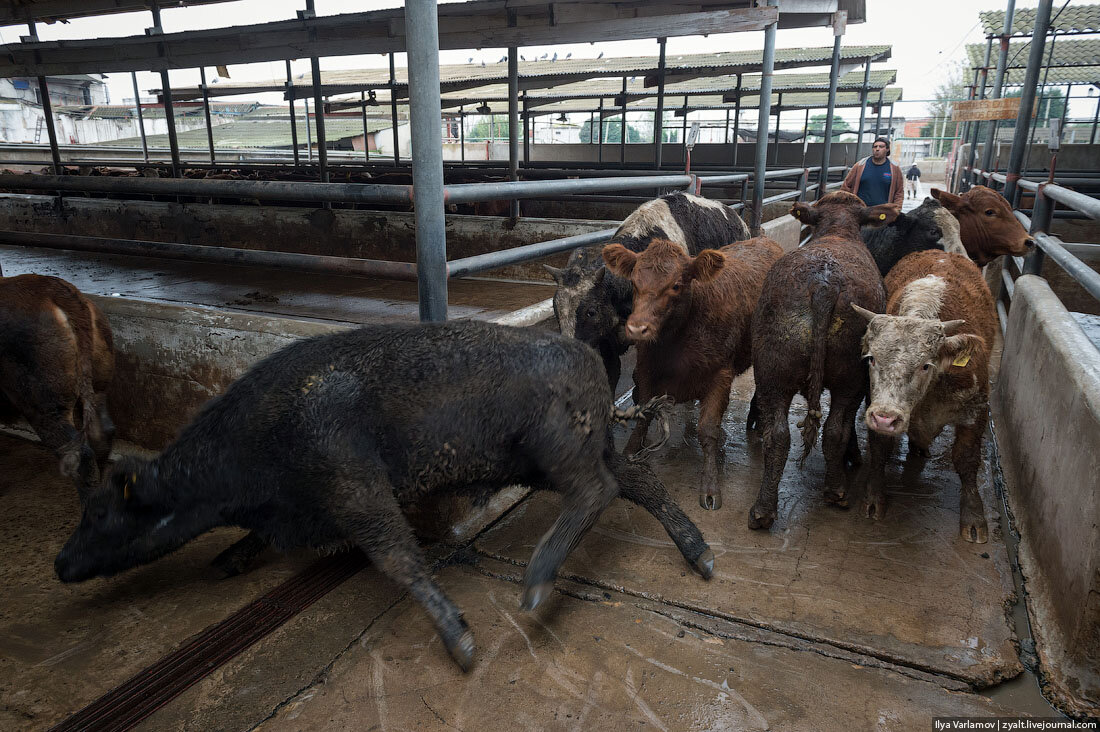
(259, 134)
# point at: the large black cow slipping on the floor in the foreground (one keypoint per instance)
(322, 444)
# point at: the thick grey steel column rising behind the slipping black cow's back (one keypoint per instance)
(423, 45)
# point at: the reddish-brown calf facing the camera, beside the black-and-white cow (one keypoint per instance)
(691, 324)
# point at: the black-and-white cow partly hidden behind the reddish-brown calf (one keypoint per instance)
(593, 305)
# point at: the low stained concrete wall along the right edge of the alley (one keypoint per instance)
(1048, 417)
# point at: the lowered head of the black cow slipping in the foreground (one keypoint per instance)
(128, 521)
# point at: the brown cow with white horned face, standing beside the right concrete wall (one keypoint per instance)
(929, 362)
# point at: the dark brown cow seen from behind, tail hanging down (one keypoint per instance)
(805, 340)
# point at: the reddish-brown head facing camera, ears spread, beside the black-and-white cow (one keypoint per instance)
(663, 277)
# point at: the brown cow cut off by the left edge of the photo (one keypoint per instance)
(57, 362)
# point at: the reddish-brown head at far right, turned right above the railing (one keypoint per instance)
(987, 226)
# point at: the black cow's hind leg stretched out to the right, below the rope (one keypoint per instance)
(640, 486)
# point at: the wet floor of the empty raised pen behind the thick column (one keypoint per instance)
(262, 290)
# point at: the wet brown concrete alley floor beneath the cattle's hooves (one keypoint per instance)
(827, 622)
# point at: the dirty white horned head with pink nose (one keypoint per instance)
(905, 356)
